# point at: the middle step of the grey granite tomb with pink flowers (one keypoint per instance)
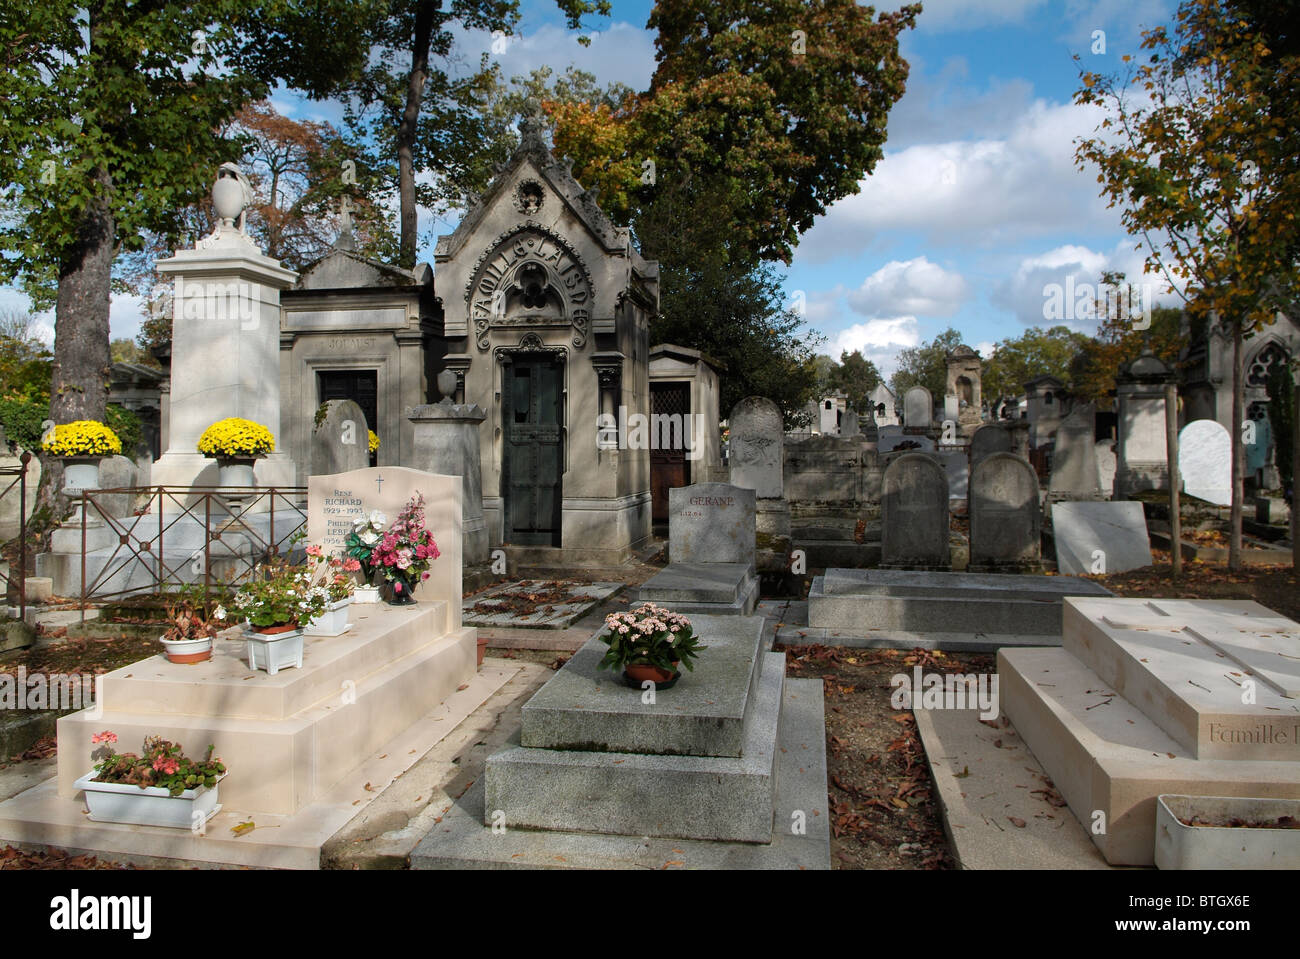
(636, 795)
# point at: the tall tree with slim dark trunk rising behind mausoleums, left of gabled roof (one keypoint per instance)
(411, 110)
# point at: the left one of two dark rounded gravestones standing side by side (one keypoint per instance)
(915, 505)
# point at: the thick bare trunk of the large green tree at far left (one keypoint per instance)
(79, 388)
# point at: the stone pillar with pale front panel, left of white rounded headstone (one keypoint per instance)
(1141, 450)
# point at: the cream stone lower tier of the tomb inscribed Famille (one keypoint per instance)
(1108, 760)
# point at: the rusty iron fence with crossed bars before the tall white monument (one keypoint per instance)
(224, 533)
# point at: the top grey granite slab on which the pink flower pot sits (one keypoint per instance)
(584, 708)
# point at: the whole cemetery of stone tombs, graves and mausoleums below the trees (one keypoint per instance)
(492, 562)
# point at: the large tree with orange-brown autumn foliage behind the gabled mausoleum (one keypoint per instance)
(779, 110)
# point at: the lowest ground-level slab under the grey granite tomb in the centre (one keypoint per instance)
(800, 840)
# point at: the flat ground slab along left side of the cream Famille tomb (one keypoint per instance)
(995, 799)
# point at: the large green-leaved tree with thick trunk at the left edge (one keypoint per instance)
(114, 112)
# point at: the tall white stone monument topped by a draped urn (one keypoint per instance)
(226, 341)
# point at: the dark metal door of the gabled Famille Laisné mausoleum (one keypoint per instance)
(535, 458)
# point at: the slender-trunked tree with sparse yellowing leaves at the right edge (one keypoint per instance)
(1207, 177)
